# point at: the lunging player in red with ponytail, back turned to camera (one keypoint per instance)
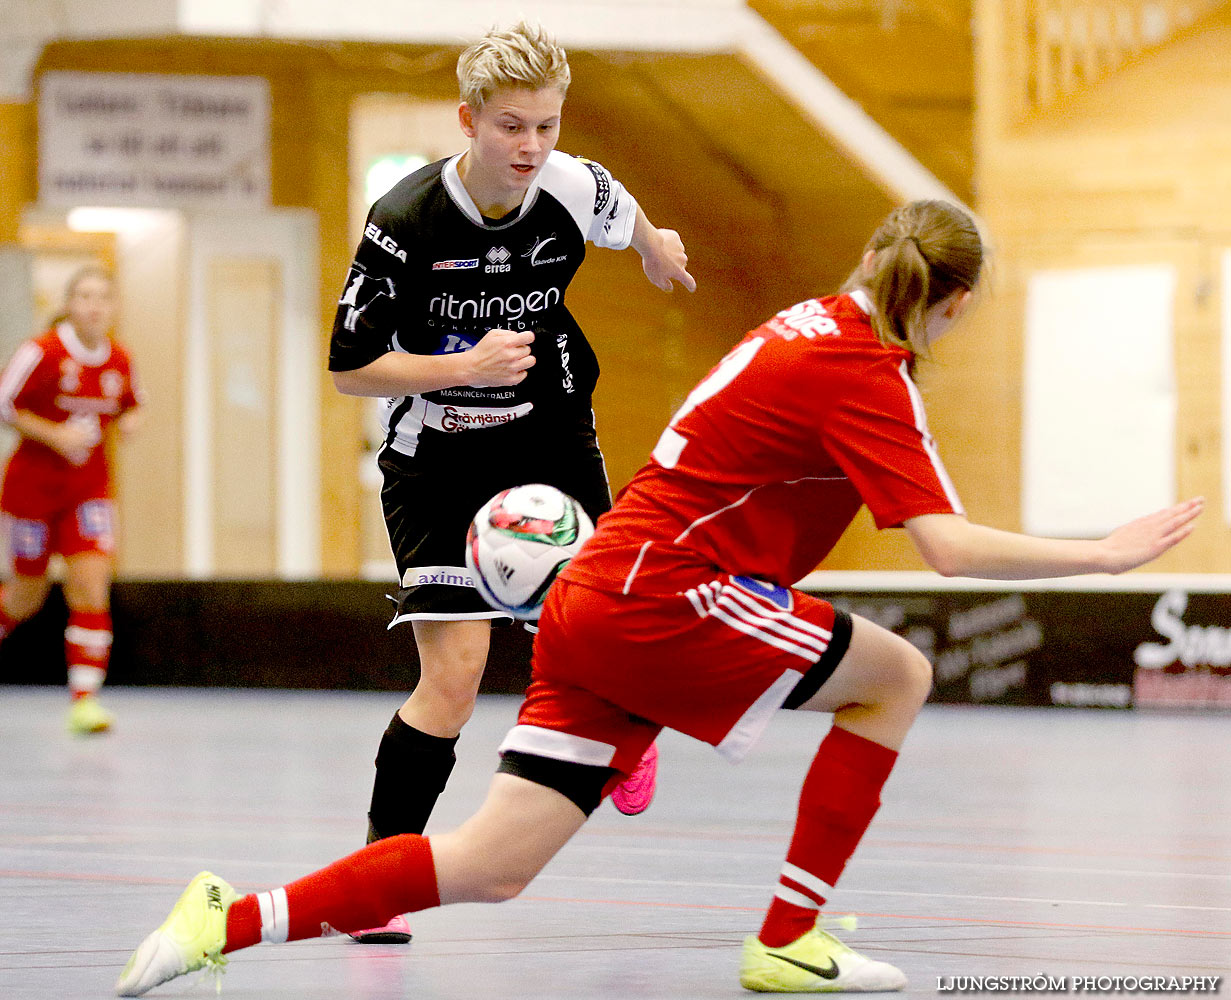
(679, 613)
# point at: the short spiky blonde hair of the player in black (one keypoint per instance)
(524, 56)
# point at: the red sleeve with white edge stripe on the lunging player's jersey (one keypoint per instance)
(880, 438)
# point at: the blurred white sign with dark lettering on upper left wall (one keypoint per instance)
(146, 140)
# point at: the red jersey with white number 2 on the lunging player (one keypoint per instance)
(770, 459)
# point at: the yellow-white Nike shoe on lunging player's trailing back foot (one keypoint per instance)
(191, 938)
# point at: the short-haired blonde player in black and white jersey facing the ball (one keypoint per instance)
(455, 312)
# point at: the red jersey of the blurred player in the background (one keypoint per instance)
(58, 379)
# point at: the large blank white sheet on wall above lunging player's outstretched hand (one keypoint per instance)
(1099, 444)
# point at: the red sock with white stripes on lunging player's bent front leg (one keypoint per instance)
(840, 797)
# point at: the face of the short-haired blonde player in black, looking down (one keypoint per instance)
(513, 135)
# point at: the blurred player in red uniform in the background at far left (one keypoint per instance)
(62, 392)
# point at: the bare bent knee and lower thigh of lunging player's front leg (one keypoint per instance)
(878, 669)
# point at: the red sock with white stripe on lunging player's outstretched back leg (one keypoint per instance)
(365, 890)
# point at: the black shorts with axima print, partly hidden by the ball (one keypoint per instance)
(429, 508)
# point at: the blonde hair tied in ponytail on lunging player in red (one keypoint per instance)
(923, 253)
